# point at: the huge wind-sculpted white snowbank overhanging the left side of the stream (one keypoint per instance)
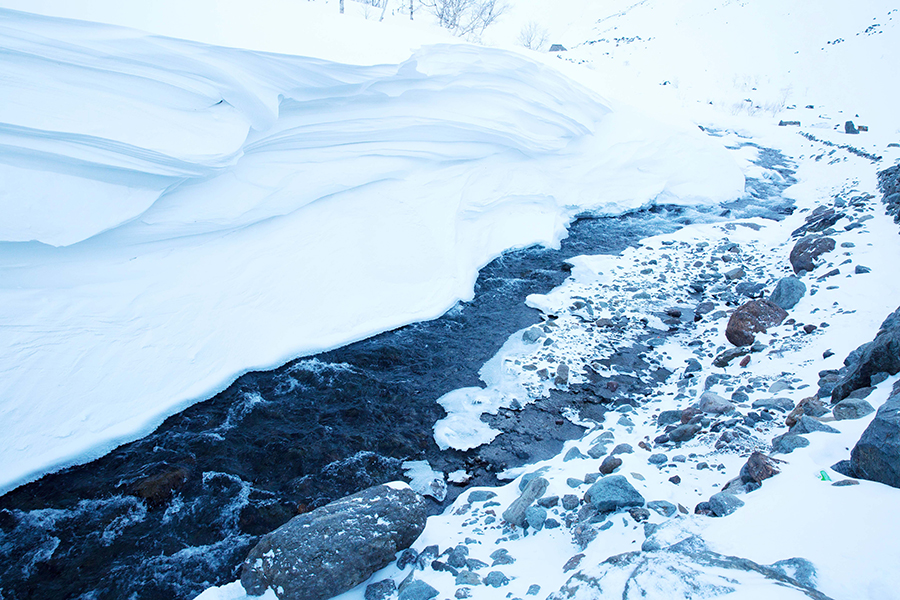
(176, 214)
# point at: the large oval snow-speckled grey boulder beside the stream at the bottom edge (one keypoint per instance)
(316, 556)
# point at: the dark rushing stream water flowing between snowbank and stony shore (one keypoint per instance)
(171, 514)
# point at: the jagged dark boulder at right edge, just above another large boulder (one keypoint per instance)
(881, 354)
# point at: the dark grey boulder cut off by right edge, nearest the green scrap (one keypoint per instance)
(876, 456)
